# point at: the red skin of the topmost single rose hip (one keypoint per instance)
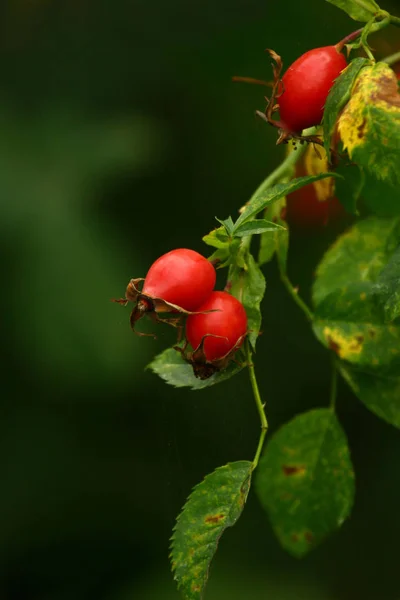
(306, 86)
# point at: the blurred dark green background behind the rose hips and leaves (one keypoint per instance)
(121, 137)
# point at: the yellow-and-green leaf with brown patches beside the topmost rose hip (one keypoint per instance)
(369, 125)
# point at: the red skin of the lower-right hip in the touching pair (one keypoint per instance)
(230, 322)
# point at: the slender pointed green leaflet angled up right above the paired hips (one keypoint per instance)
(274, 193)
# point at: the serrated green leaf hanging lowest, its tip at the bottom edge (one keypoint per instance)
(214, 505)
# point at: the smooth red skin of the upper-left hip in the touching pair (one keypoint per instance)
(182, 277)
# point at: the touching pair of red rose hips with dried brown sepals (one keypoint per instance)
(180, 286)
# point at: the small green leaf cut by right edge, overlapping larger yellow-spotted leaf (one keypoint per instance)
(387, 288)
